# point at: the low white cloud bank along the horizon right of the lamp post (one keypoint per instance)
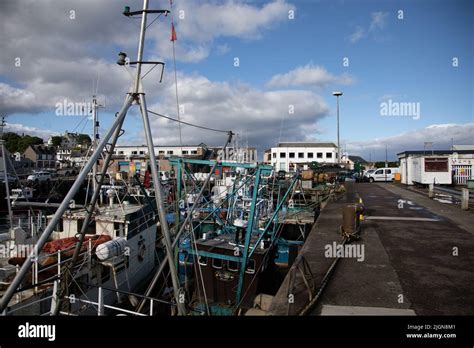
(440, 134)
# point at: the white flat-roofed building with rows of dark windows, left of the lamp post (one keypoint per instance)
(290, 155)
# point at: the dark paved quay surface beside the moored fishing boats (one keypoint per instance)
(408, 266)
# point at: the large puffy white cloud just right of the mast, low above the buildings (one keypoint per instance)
(254, 114)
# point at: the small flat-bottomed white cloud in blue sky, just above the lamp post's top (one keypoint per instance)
(308, 75)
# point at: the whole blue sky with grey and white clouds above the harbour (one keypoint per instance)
(291, 56)
